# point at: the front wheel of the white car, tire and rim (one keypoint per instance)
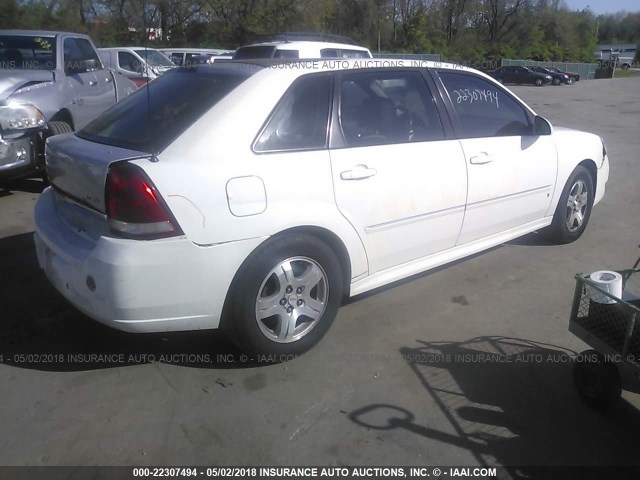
(574, 207)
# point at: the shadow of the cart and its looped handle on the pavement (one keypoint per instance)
(509, 402)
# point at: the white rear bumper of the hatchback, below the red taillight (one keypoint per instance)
(133, 285)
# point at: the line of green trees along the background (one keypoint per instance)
(459, 30)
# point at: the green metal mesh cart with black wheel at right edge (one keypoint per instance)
(613, 333)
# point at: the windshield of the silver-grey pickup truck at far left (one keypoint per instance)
(24, 52)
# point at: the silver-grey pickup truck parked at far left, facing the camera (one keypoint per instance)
(50, 83)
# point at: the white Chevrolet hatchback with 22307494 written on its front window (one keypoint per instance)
(256, 199)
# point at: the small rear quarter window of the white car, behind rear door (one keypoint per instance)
(301, 118)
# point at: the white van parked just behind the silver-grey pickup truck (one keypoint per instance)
(139, 64)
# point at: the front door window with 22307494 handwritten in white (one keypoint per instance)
(483, 109)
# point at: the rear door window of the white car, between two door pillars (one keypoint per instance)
(379, 108)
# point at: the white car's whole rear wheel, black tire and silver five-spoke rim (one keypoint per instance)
(285, 297)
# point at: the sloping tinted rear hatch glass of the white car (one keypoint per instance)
(153, 117)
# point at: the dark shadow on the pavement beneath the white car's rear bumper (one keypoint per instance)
(40, 330)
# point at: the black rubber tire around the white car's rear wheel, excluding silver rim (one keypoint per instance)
(240, 321)
